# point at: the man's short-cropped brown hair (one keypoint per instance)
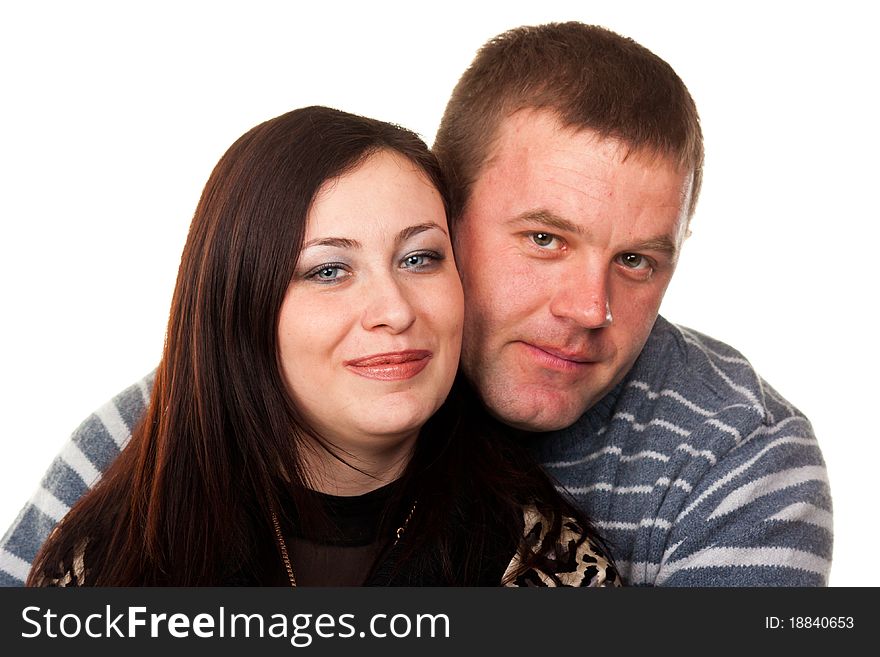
(591, 77)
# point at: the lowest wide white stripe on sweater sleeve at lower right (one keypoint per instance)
(714, 557)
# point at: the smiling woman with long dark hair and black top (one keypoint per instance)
(299, 430)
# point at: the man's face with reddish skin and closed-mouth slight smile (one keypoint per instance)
(565, 248)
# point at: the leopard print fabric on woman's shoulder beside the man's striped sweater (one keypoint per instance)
(574, 561)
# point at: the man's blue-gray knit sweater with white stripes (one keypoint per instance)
(697, 472)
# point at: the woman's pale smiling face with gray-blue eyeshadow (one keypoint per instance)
(370, 328)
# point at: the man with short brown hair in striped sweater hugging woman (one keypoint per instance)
(575, 159)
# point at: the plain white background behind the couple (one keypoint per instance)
(113, 115)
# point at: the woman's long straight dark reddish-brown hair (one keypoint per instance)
(189, 499)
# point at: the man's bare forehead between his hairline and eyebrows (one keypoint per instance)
(543, 168)
